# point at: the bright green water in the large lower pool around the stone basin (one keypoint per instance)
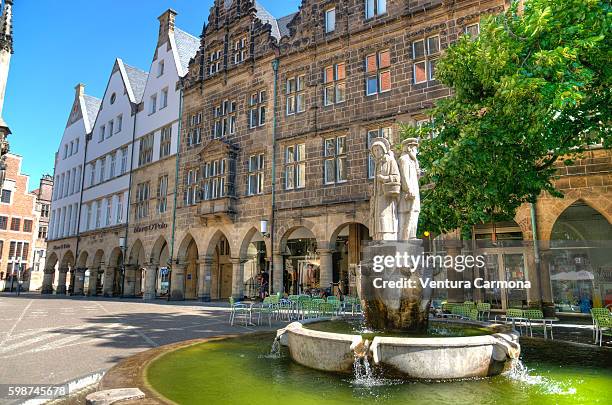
(241, 371)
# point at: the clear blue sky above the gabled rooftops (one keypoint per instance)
(60, 43)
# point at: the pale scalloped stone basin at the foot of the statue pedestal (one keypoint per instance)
(436, 358)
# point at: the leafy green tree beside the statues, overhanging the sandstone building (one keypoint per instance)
(531, 90)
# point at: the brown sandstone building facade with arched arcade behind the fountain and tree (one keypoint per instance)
(272, 167)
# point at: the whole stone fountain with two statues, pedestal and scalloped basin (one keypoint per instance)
(394, 211)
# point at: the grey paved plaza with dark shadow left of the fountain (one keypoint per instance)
(56, 339)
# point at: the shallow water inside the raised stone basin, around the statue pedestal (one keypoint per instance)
(437, 328)
